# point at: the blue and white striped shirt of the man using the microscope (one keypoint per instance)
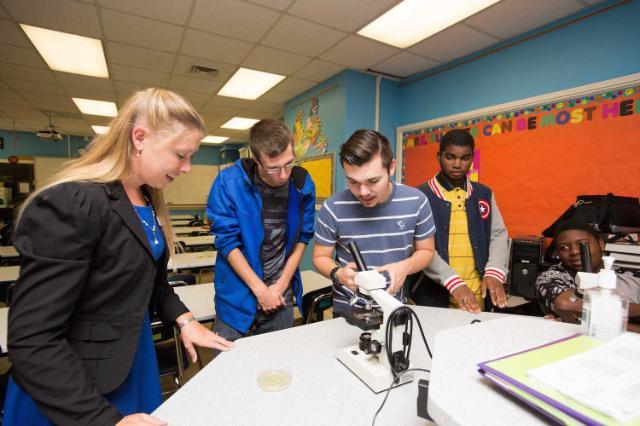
(384, 233)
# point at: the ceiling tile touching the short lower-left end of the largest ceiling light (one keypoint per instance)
(359, 52)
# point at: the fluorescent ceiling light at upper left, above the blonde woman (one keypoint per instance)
(69, 52)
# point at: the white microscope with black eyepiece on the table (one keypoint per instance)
(378, 360)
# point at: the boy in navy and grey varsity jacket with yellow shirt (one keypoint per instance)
(471, 239)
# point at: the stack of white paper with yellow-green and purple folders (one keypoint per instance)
(577, 380)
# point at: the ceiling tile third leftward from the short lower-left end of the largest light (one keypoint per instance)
(232, 18)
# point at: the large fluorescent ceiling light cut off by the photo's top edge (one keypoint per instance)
(414, 20)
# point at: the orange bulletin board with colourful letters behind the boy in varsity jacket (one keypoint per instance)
(539, 154)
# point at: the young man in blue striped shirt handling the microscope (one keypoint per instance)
(391, 223)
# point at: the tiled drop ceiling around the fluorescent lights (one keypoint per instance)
(156, 42)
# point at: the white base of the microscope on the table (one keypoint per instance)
(374, 371)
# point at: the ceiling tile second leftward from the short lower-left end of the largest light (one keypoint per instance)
(300, 36)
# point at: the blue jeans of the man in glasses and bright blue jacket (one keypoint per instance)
(263, 322)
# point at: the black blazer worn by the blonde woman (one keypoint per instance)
(87, 277)
